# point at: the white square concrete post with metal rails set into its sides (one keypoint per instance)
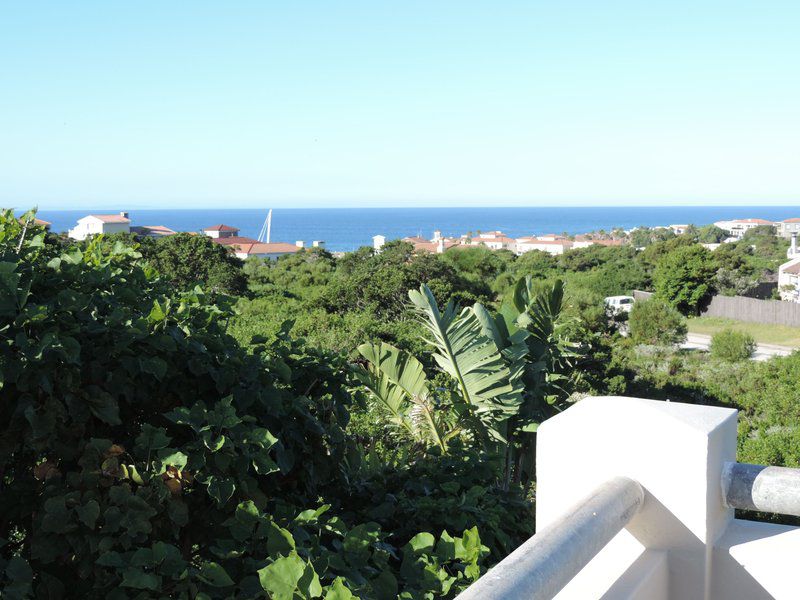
(675, 451)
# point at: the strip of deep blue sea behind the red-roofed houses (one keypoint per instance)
(348, 228)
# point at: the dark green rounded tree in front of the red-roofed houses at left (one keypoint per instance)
(188, 260)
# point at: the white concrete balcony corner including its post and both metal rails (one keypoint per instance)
(684, 542)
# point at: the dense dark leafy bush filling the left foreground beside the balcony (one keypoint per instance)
(145, 453)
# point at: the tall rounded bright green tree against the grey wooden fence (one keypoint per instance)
(685, 278)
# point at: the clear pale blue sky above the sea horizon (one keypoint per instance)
(377, 103)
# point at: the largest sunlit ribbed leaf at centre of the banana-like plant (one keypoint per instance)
(467, 351)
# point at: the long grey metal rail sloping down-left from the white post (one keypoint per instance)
(543, 565)
